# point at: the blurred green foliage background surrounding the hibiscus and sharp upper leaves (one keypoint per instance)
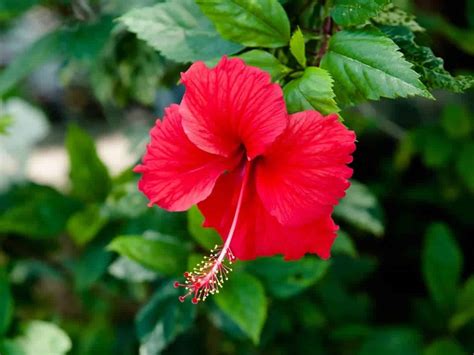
(78, 96)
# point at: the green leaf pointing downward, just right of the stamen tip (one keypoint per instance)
(243, 300)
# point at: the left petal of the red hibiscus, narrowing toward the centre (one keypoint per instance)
(177, 174)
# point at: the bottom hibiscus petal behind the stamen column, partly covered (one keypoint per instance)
(258, 233)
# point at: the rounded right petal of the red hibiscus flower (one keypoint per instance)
(304, 174)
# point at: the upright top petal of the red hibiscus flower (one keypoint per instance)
(230, 105)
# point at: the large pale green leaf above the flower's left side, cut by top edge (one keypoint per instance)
(179, 30)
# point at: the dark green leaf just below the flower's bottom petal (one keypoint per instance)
(285, 279)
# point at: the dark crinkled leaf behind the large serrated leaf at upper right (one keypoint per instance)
(430, 67)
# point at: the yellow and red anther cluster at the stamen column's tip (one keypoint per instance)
(208, 276)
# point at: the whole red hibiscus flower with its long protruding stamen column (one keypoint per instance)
(265, 180)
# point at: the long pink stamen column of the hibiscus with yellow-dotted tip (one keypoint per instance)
(209, 275)
